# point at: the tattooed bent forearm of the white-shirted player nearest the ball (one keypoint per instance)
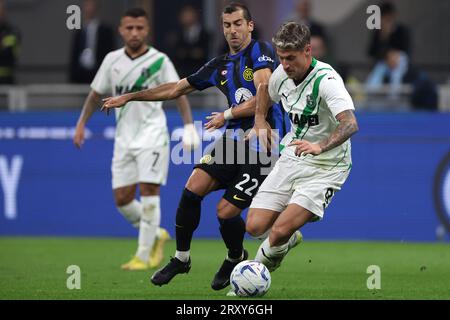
(347, 127)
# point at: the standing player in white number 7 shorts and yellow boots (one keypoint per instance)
(141, 147)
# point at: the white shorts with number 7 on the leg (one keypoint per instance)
(132, 166)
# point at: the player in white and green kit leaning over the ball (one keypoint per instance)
(316, 155)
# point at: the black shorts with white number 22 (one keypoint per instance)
(238, 169)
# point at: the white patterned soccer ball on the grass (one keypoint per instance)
(250, 278)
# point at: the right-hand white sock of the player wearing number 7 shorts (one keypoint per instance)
(150, 220)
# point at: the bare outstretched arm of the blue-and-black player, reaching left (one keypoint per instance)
(167, 91)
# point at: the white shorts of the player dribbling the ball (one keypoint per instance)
(294, 182)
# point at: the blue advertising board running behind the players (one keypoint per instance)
(62, 191)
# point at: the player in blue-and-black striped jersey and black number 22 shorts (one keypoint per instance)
(237, 75)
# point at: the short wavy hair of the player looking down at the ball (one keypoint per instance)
(292, 36)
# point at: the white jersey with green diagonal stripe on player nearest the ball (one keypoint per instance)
(312, 106)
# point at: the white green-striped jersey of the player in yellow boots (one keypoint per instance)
(140, 124)
